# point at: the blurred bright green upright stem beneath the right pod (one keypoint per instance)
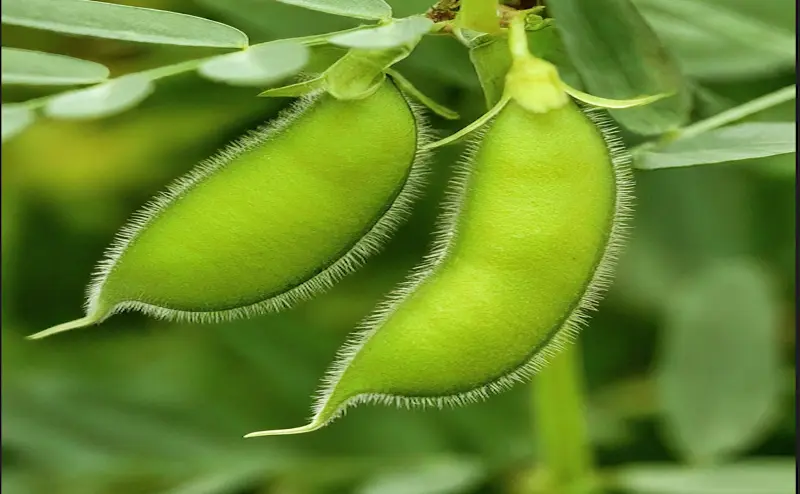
(560, 424)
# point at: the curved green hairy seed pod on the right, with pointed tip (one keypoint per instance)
(529, 237)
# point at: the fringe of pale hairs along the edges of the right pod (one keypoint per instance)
(444, 237)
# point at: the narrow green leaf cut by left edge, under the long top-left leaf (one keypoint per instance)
(39, 68)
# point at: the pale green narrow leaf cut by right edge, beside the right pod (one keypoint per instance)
(737, 142)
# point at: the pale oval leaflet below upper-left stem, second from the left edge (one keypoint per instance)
(102, 100)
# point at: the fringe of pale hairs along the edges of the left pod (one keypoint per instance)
(371, 243)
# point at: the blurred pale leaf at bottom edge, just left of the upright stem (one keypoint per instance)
(434, 476)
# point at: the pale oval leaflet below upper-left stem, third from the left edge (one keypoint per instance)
(258, 65)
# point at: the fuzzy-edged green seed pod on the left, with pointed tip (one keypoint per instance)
(275, 218)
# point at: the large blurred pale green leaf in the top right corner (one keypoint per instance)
(720, 39)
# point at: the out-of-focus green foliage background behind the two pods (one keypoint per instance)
(689, 364)
